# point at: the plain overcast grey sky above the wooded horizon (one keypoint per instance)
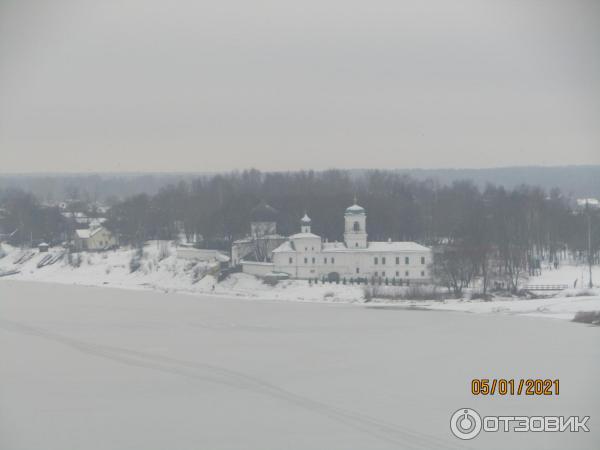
(164, 85)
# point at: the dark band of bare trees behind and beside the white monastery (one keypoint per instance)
(470, 226)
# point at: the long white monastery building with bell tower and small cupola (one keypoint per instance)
(305, 255)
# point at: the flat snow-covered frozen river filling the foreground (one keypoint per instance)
(99, 368)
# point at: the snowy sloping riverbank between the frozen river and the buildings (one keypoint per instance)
(172, 274)
